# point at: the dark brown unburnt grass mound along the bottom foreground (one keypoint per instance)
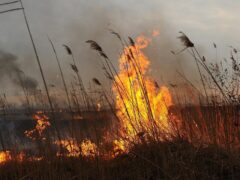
(176, 159)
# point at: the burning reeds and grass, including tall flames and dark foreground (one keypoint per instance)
(151, 135)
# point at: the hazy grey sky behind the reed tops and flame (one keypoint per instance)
(72, 22)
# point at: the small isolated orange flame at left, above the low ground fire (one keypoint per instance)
(42, 123)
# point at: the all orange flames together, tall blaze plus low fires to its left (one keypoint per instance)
(142, 109)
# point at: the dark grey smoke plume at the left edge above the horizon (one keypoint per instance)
(10, 68)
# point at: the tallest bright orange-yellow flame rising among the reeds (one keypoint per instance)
(142, 105)
